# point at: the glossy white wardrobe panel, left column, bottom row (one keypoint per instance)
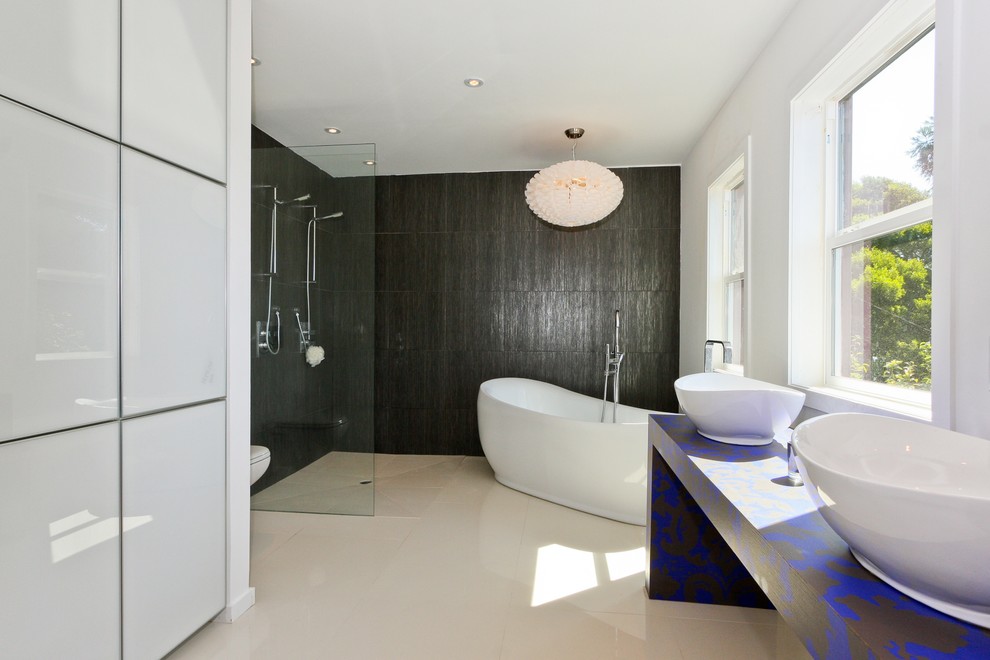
(59, 545)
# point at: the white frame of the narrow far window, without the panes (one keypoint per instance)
(731, 175)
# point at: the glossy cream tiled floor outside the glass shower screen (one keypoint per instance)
(455, 565)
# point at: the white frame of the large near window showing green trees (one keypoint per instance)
(814, 233)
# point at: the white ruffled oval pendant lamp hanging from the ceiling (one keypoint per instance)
(575, 192)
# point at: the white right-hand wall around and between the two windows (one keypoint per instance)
(760, 107)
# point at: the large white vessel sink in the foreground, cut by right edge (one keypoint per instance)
(911, 500)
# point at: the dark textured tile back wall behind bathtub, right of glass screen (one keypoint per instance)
(470, 285)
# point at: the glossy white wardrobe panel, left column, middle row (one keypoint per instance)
(58, 274)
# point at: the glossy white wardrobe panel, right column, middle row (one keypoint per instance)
(173, 285)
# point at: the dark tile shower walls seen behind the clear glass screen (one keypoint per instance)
(302, 412)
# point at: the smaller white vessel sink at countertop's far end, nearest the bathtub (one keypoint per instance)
(736, 409)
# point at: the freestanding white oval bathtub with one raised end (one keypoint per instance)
(547, 441)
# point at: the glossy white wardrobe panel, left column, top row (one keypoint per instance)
(70, 67)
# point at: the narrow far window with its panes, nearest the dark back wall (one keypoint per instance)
(727, 212)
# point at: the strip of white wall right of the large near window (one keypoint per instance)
(961, 335)
